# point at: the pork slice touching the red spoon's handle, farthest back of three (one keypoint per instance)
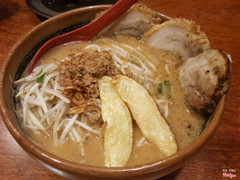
(135, 22)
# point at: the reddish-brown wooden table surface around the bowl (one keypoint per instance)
(219, 19)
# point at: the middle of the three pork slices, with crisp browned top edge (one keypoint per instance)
(178, 35)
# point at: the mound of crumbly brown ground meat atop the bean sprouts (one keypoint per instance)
(81, 72)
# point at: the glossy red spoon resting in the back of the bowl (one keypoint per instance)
(86, 32)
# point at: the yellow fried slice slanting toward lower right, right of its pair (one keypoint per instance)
(144, 110)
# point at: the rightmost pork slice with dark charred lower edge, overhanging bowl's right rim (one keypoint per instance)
(205, 79)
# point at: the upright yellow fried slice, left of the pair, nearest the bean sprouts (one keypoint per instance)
(118, 131)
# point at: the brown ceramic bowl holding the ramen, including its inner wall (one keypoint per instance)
(18, 59)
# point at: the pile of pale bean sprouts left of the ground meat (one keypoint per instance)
(46, 109)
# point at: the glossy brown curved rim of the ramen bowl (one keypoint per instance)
(59, 163)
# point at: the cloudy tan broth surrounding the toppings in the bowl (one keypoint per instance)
(185, 124)
